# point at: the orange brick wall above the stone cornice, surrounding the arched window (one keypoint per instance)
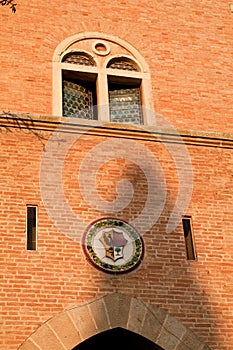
(187, 45)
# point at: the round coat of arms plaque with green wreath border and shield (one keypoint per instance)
(113, 245)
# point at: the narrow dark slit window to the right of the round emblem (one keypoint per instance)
(189, 238)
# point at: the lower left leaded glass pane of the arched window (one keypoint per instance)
(77, 101)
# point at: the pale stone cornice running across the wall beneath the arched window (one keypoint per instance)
(154, 134)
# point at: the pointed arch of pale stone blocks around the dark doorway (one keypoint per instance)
(73, 326)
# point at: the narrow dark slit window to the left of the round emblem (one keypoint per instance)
(31, 227)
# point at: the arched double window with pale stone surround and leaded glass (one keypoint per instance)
(100, 77)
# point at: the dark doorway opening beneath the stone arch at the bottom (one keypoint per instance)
(117, 338)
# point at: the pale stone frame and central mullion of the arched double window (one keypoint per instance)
(102, 72)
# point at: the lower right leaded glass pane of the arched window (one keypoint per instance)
(125, 106)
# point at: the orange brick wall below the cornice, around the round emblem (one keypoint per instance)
(38, 284)
